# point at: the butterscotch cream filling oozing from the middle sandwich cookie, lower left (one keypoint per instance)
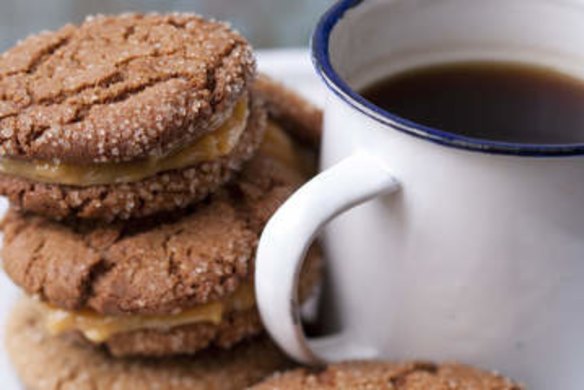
(99, 328)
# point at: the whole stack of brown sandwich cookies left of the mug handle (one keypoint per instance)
(142, 158)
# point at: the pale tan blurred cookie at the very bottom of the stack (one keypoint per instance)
(51, 363)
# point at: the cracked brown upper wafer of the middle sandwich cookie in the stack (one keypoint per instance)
(155, 265)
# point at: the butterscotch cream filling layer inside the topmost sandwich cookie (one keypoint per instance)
(216, 144)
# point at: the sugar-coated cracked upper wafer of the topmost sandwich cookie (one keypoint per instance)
(119, 88)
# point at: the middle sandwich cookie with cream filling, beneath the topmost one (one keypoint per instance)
(165, 285)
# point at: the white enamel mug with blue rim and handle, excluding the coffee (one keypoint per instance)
(440, 246)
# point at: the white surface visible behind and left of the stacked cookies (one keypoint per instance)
(290, 66)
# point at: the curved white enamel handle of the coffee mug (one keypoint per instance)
(288, 235)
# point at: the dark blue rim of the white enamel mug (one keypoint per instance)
(321, 61)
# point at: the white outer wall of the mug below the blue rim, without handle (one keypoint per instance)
(478, 258)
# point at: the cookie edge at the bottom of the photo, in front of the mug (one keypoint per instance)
(389, 376)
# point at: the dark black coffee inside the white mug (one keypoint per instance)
(499, 101)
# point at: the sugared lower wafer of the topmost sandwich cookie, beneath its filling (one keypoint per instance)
(164, 191)
